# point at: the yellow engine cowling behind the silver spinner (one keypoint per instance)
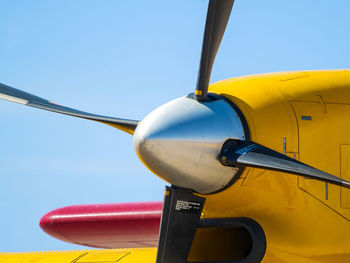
(299, 223)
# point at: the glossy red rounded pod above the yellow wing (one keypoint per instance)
(106, 225)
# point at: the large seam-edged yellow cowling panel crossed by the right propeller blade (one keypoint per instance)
(324, 139)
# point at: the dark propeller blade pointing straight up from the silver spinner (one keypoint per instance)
(217, 17)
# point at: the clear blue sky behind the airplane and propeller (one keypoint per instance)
(123, 59)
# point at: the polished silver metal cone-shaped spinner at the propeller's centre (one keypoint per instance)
(180, 142)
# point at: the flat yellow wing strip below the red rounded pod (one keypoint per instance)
(132, 255)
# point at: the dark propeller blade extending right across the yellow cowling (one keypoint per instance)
(255, 155)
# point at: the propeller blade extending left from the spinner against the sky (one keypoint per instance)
(15, 95)
